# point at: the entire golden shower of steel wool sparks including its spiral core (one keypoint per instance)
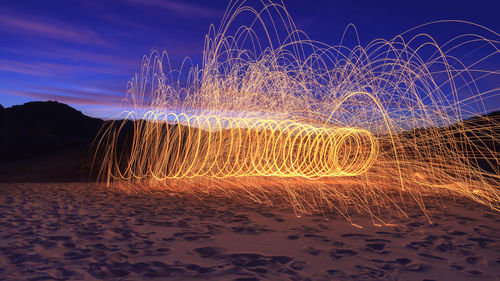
(319, 127)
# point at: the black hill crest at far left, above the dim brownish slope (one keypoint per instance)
(38, 128)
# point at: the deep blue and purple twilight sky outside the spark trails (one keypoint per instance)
(83, 52)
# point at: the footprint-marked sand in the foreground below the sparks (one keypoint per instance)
(83, 232)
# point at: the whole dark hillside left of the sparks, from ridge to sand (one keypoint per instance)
(45, 141)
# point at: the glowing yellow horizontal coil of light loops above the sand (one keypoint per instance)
(180, 146)
